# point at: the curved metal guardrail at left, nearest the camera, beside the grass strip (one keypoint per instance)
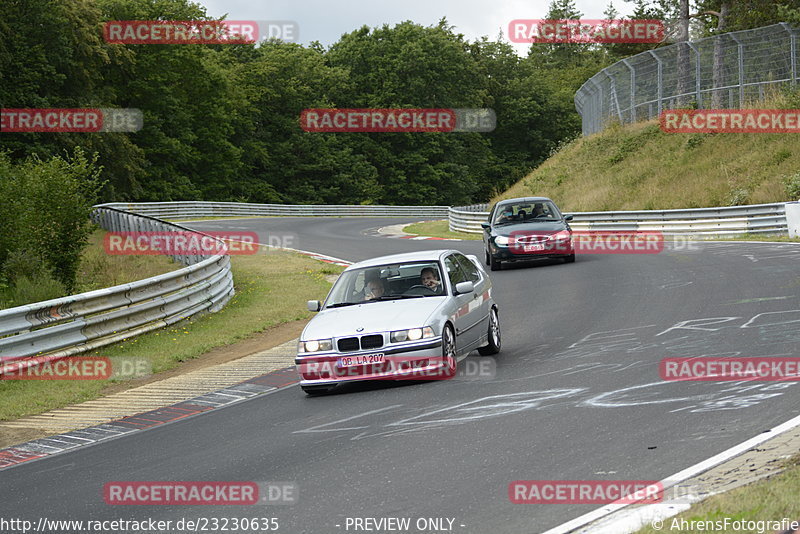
(70, 325)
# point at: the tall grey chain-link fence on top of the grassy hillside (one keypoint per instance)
(724, 71)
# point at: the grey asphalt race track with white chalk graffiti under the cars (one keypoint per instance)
(576, 396)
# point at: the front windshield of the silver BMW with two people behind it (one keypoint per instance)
(386, 282)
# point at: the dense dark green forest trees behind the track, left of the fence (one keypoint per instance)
(221, 121)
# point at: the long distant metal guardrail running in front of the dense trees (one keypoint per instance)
(195, 209)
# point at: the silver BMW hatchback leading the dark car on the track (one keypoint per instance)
(407, 316)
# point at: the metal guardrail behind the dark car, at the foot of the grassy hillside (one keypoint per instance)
(701, 222)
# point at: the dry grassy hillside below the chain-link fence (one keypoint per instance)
(640, 167)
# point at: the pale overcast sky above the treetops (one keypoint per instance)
(326, 21)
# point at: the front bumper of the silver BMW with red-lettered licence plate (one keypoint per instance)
(417, 361)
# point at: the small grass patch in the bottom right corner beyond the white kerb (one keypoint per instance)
(770, 499)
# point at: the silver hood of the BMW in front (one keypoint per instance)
(372, 317)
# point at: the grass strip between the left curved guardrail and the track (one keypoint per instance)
(270, 288)
